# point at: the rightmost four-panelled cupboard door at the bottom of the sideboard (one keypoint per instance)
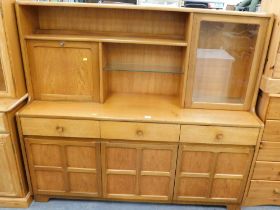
(211, 173)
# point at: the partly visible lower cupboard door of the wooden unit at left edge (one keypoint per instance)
(9, 178)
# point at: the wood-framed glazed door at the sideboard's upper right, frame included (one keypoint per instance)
(224, 62)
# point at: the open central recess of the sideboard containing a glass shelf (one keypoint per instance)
(143, 69)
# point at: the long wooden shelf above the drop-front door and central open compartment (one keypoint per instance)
(108, 39)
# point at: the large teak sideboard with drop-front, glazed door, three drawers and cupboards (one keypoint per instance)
(140, 103)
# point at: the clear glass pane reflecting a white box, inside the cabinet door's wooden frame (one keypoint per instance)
(224, 58)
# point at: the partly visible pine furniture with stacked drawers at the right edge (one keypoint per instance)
(265, 181)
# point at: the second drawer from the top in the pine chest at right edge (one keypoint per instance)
(272, 131)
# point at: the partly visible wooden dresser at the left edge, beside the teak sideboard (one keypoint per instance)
(14, 191)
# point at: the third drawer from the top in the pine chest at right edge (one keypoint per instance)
(269, 151)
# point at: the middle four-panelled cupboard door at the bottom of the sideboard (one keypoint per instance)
(138, 171)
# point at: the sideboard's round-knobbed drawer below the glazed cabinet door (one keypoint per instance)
(219, 135)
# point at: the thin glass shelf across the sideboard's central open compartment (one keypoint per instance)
(143, 68)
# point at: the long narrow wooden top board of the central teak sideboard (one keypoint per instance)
(140, 7)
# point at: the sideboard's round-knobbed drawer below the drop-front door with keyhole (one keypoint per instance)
(60, 127)
